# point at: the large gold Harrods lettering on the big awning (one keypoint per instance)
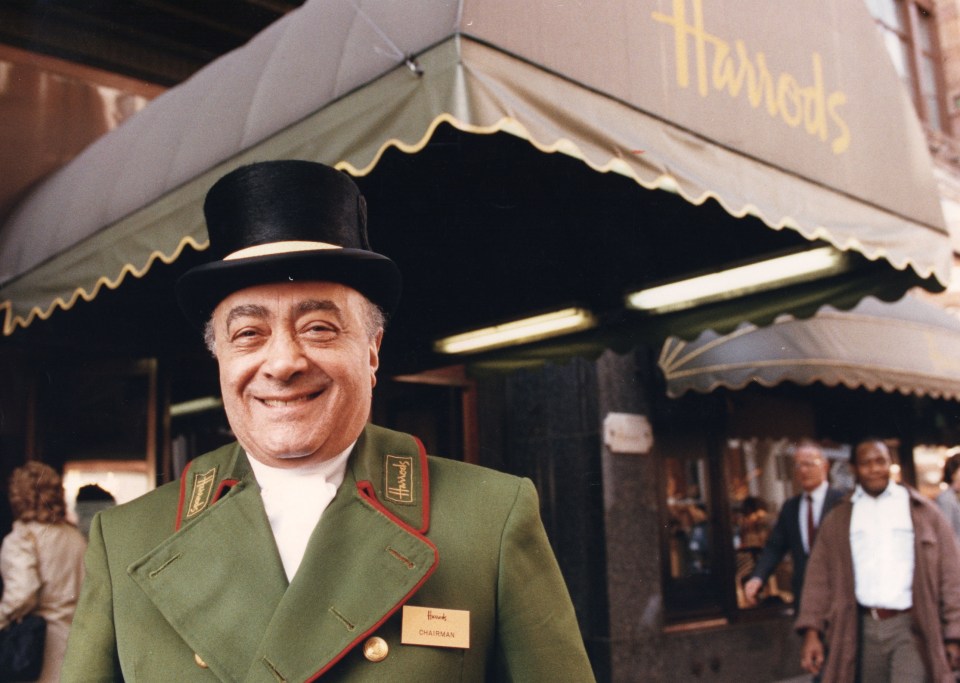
(784, 97)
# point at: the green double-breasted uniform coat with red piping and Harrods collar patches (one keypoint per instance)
(185, 583)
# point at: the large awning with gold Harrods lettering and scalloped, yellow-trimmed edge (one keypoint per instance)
(134, 196)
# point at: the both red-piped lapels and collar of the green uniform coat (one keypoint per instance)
(220, 584)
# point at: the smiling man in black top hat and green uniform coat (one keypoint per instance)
(317, 546)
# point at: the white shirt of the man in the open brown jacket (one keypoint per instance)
(881, 541)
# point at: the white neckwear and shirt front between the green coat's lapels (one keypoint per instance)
(294, 500)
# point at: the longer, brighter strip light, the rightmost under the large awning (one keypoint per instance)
(740, 281)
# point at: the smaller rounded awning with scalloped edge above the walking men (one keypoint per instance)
(908, 346)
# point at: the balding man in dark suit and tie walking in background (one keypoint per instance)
(799, 519)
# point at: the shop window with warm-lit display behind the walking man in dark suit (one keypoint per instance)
(721, 506)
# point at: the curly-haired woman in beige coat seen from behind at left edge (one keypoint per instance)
(41, 561)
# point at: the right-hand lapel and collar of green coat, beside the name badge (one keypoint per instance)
(363, 562)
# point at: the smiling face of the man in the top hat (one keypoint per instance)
(297, 369)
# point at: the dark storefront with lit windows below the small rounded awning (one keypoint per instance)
(726, 468)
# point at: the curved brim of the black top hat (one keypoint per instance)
(200, 289)
